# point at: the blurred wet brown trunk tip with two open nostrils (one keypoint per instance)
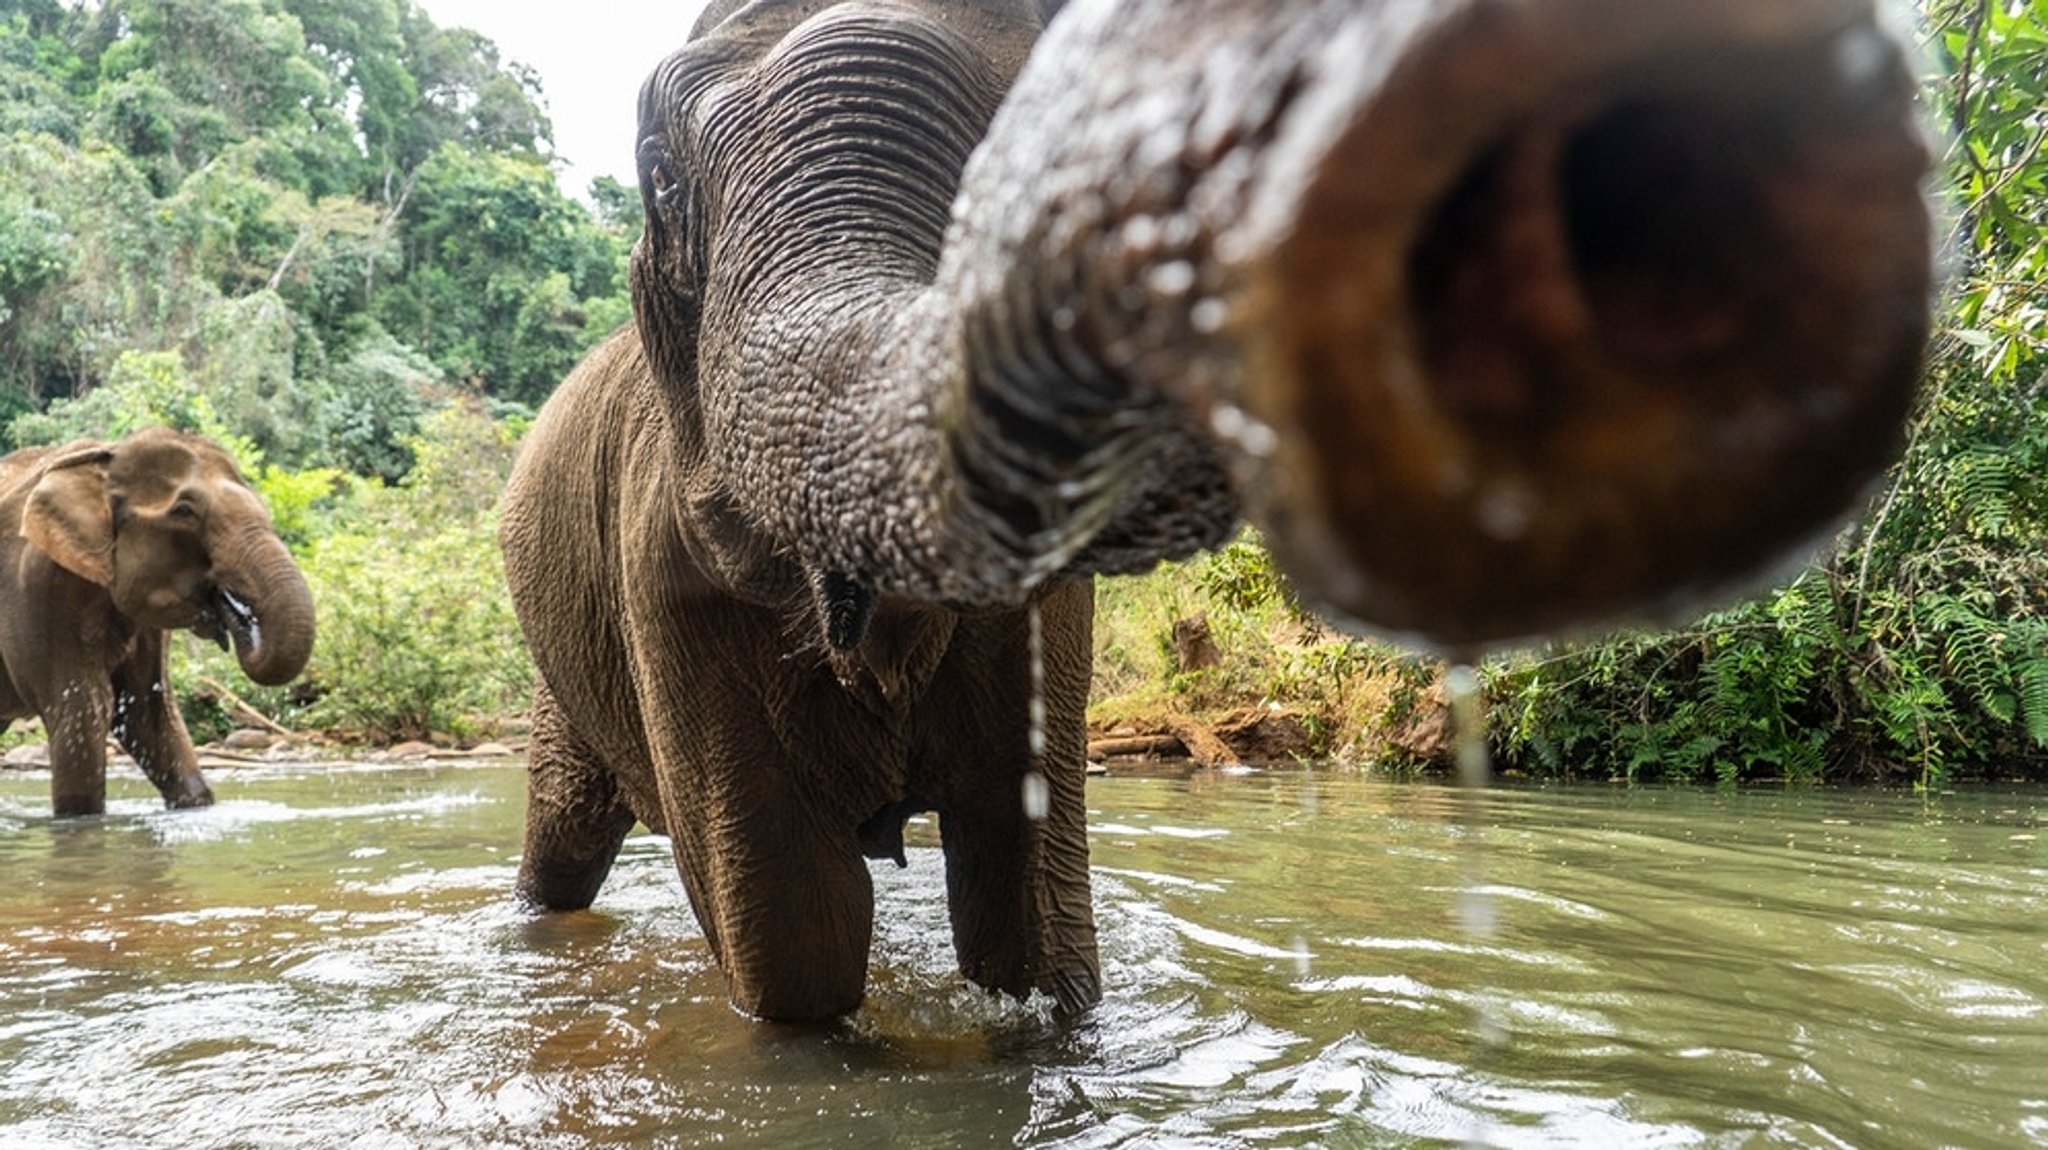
(1574, 330)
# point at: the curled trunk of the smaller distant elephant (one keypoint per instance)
(265, 607)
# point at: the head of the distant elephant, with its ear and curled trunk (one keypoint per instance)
(167, 525)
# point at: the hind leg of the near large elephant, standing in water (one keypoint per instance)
(577, 820)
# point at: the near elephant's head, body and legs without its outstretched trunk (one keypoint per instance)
(779, 719)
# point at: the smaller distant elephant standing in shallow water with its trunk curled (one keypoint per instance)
(108, 547)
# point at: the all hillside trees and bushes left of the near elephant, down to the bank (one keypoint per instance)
(290, 226)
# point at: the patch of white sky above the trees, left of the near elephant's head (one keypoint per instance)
(591, 58)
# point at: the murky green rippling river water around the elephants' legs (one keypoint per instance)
(331, 959)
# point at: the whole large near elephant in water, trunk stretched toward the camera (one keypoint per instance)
(1498, 318)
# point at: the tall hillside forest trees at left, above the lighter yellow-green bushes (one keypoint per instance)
(329, 214)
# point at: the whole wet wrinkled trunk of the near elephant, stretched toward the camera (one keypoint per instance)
(1498, 316)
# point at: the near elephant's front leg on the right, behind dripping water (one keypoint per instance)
(1017, 875)
